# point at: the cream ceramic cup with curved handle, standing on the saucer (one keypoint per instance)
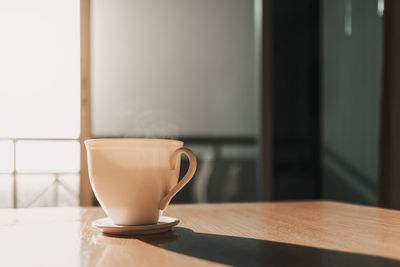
(134, 178)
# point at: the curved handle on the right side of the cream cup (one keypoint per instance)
(189, 174)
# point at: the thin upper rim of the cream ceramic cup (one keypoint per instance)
(137, 141)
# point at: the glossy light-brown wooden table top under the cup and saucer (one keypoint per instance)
(268, 234)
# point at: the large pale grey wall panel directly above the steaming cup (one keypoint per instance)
(173, 68)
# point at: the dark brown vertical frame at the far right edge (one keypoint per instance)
(390, 109)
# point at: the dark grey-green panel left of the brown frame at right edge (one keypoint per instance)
(352, 70)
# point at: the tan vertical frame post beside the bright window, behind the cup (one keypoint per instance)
(86, 196)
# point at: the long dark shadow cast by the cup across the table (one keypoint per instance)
(240, 251)
